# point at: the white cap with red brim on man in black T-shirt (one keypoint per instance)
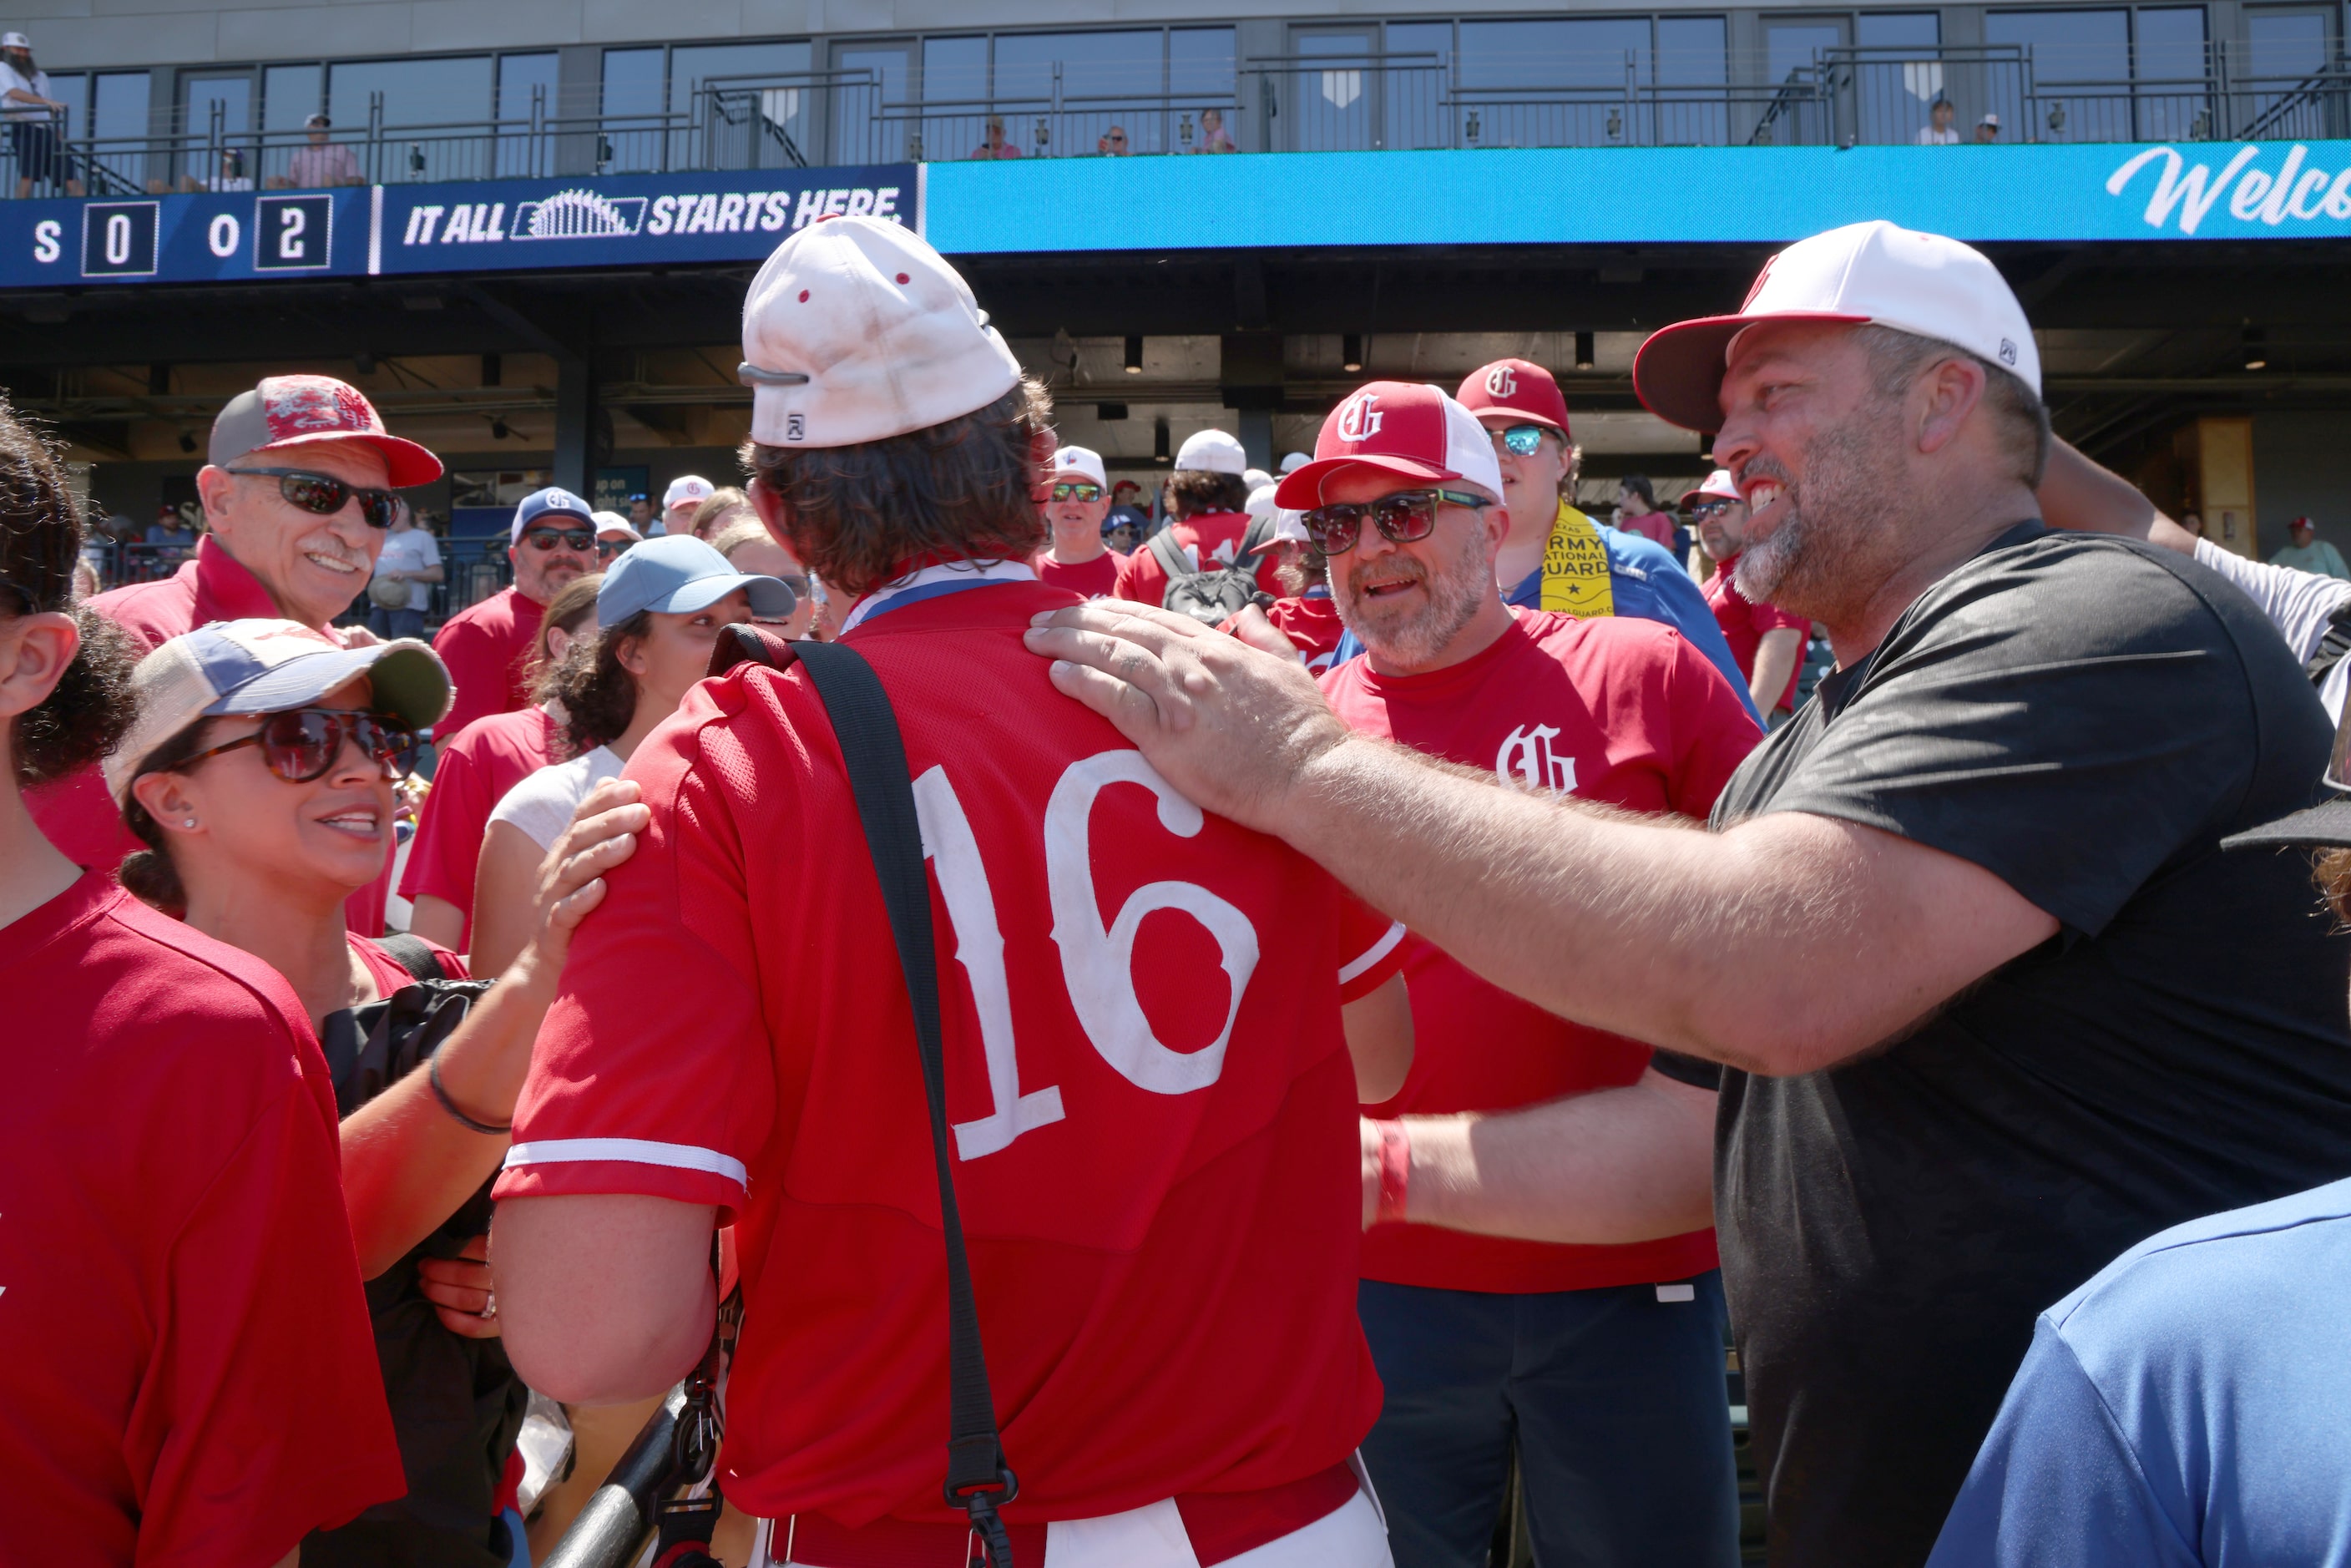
(1861, 274)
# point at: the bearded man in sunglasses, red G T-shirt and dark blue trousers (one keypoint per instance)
(1602, 1362)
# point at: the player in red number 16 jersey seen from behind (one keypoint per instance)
(1148, 1024)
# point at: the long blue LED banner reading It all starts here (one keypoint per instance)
(1560, 196)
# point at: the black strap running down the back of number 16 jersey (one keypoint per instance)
(979, 1480)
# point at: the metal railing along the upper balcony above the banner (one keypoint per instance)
(1271, 105)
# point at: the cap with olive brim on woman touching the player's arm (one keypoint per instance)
(267, 666)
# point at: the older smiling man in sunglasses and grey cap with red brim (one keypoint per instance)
(297, 507)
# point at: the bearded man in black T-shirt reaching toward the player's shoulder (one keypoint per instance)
(1981, 996)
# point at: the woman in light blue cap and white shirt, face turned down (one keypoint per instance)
(659, 610)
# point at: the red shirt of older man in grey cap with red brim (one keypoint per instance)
(76, 812)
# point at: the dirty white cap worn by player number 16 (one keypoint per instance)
(857, 330)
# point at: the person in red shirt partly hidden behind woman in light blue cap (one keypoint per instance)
(474, 772)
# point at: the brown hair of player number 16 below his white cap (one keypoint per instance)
(960, 490)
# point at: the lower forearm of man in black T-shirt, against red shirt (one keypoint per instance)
(1600, 1170)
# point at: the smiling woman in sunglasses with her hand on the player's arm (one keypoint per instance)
(260, 777)
